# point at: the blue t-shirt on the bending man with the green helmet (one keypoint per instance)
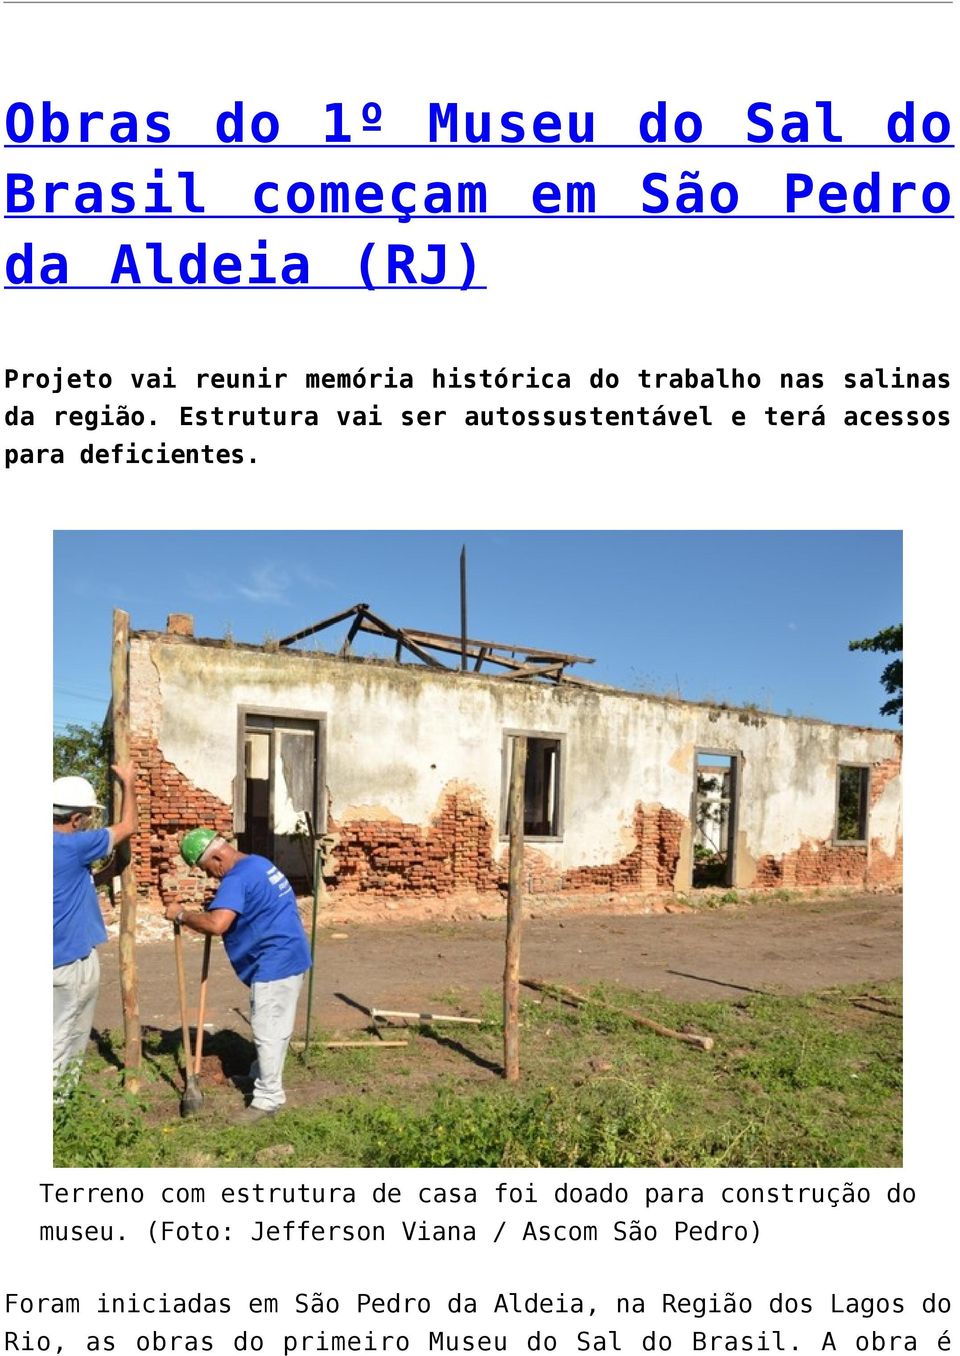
(268, 939)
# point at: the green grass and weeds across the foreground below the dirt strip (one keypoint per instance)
(812, 1081)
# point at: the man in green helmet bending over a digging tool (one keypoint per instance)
(256, 913)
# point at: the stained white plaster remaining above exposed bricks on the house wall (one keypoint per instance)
(398, 737)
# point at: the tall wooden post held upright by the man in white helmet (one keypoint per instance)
(128, 932)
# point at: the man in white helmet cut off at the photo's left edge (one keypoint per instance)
(78, 927)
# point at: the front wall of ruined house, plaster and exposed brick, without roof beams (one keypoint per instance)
(414, 765)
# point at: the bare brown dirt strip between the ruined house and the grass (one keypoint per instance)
(710, 954)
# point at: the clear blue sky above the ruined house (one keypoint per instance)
(727, 616)
